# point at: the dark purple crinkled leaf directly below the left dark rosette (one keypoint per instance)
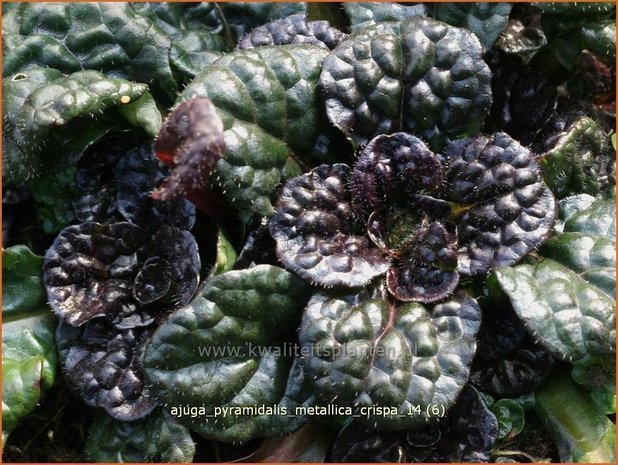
(102, 363)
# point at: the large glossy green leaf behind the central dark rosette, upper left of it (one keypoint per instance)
(269, 101)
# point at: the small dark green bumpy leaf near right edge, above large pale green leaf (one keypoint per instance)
(578, 161)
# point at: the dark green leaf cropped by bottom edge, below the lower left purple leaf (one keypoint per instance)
(156, 438)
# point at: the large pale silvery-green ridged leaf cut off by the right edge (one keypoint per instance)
(567, 301)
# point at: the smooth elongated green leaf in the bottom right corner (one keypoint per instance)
(582, 431)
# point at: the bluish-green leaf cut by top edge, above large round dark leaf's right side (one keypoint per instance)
(486, 20)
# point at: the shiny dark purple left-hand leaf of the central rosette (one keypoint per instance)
(313, 231)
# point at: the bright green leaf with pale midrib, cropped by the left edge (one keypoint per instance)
(28, 351)
